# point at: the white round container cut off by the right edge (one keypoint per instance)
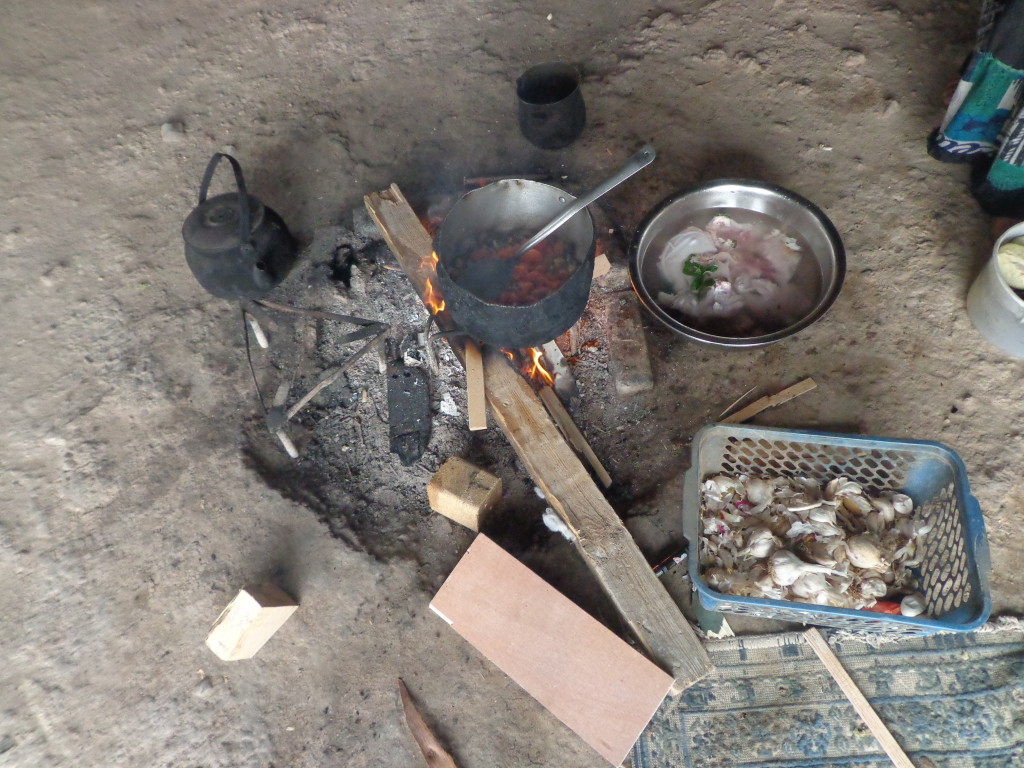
(996, 310)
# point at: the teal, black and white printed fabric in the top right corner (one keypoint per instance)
(985, 122)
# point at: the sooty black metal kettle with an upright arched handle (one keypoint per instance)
(235, 250)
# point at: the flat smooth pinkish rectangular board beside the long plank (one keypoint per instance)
(583, 674)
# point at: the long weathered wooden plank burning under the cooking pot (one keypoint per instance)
(606, 545)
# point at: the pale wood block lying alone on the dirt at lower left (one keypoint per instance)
(249, 621)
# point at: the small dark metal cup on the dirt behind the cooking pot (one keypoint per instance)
(552, 113)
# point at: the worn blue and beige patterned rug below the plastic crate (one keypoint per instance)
(952, 701)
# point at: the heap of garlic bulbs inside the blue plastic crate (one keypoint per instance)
(795, 539)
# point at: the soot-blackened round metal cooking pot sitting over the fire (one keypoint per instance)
(506, 206)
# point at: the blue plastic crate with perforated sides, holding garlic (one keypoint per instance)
(954, 573)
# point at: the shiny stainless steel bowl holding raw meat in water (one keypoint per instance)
(793, 215)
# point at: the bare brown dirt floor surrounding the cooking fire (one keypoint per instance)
(140, 488)
